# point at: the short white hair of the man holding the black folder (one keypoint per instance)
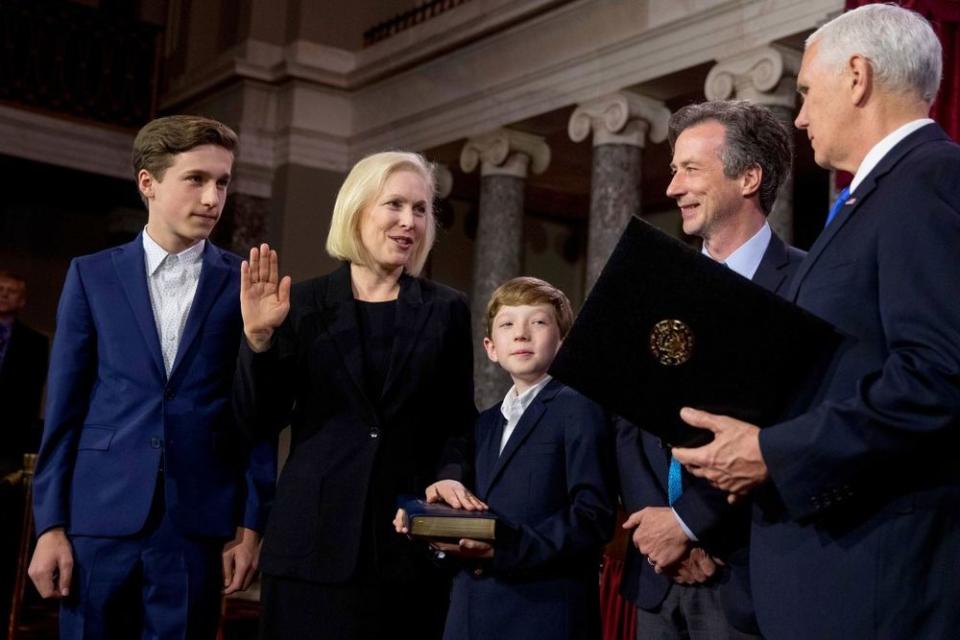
(900, 44)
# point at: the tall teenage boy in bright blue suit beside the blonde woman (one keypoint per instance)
(139, 483)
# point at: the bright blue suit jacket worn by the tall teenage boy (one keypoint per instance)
(112, 412)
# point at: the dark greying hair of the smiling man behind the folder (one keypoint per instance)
(752, 137)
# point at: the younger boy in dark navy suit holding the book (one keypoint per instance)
(542, 465)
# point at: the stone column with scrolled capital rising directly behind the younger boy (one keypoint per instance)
(504, 157)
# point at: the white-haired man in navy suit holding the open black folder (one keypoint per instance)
(853, 530)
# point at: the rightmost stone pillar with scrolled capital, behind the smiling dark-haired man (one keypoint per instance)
(768, 76)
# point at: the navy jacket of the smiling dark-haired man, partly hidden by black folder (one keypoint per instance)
(722, 529)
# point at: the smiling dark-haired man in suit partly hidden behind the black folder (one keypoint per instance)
(729, 159)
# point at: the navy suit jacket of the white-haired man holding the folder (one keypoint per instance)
(856, 535)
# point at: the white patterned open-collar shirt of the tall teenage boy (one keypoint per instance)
(172, 281)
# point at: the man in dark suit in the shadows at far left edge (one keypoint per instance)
(23, 369)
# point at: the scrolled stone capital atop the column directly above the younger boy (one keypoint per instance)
(505, 152)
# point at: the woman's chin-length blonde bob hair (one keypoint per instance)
(363, 184)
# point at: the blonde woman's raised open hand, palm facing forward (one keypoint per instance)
(264, 297)
